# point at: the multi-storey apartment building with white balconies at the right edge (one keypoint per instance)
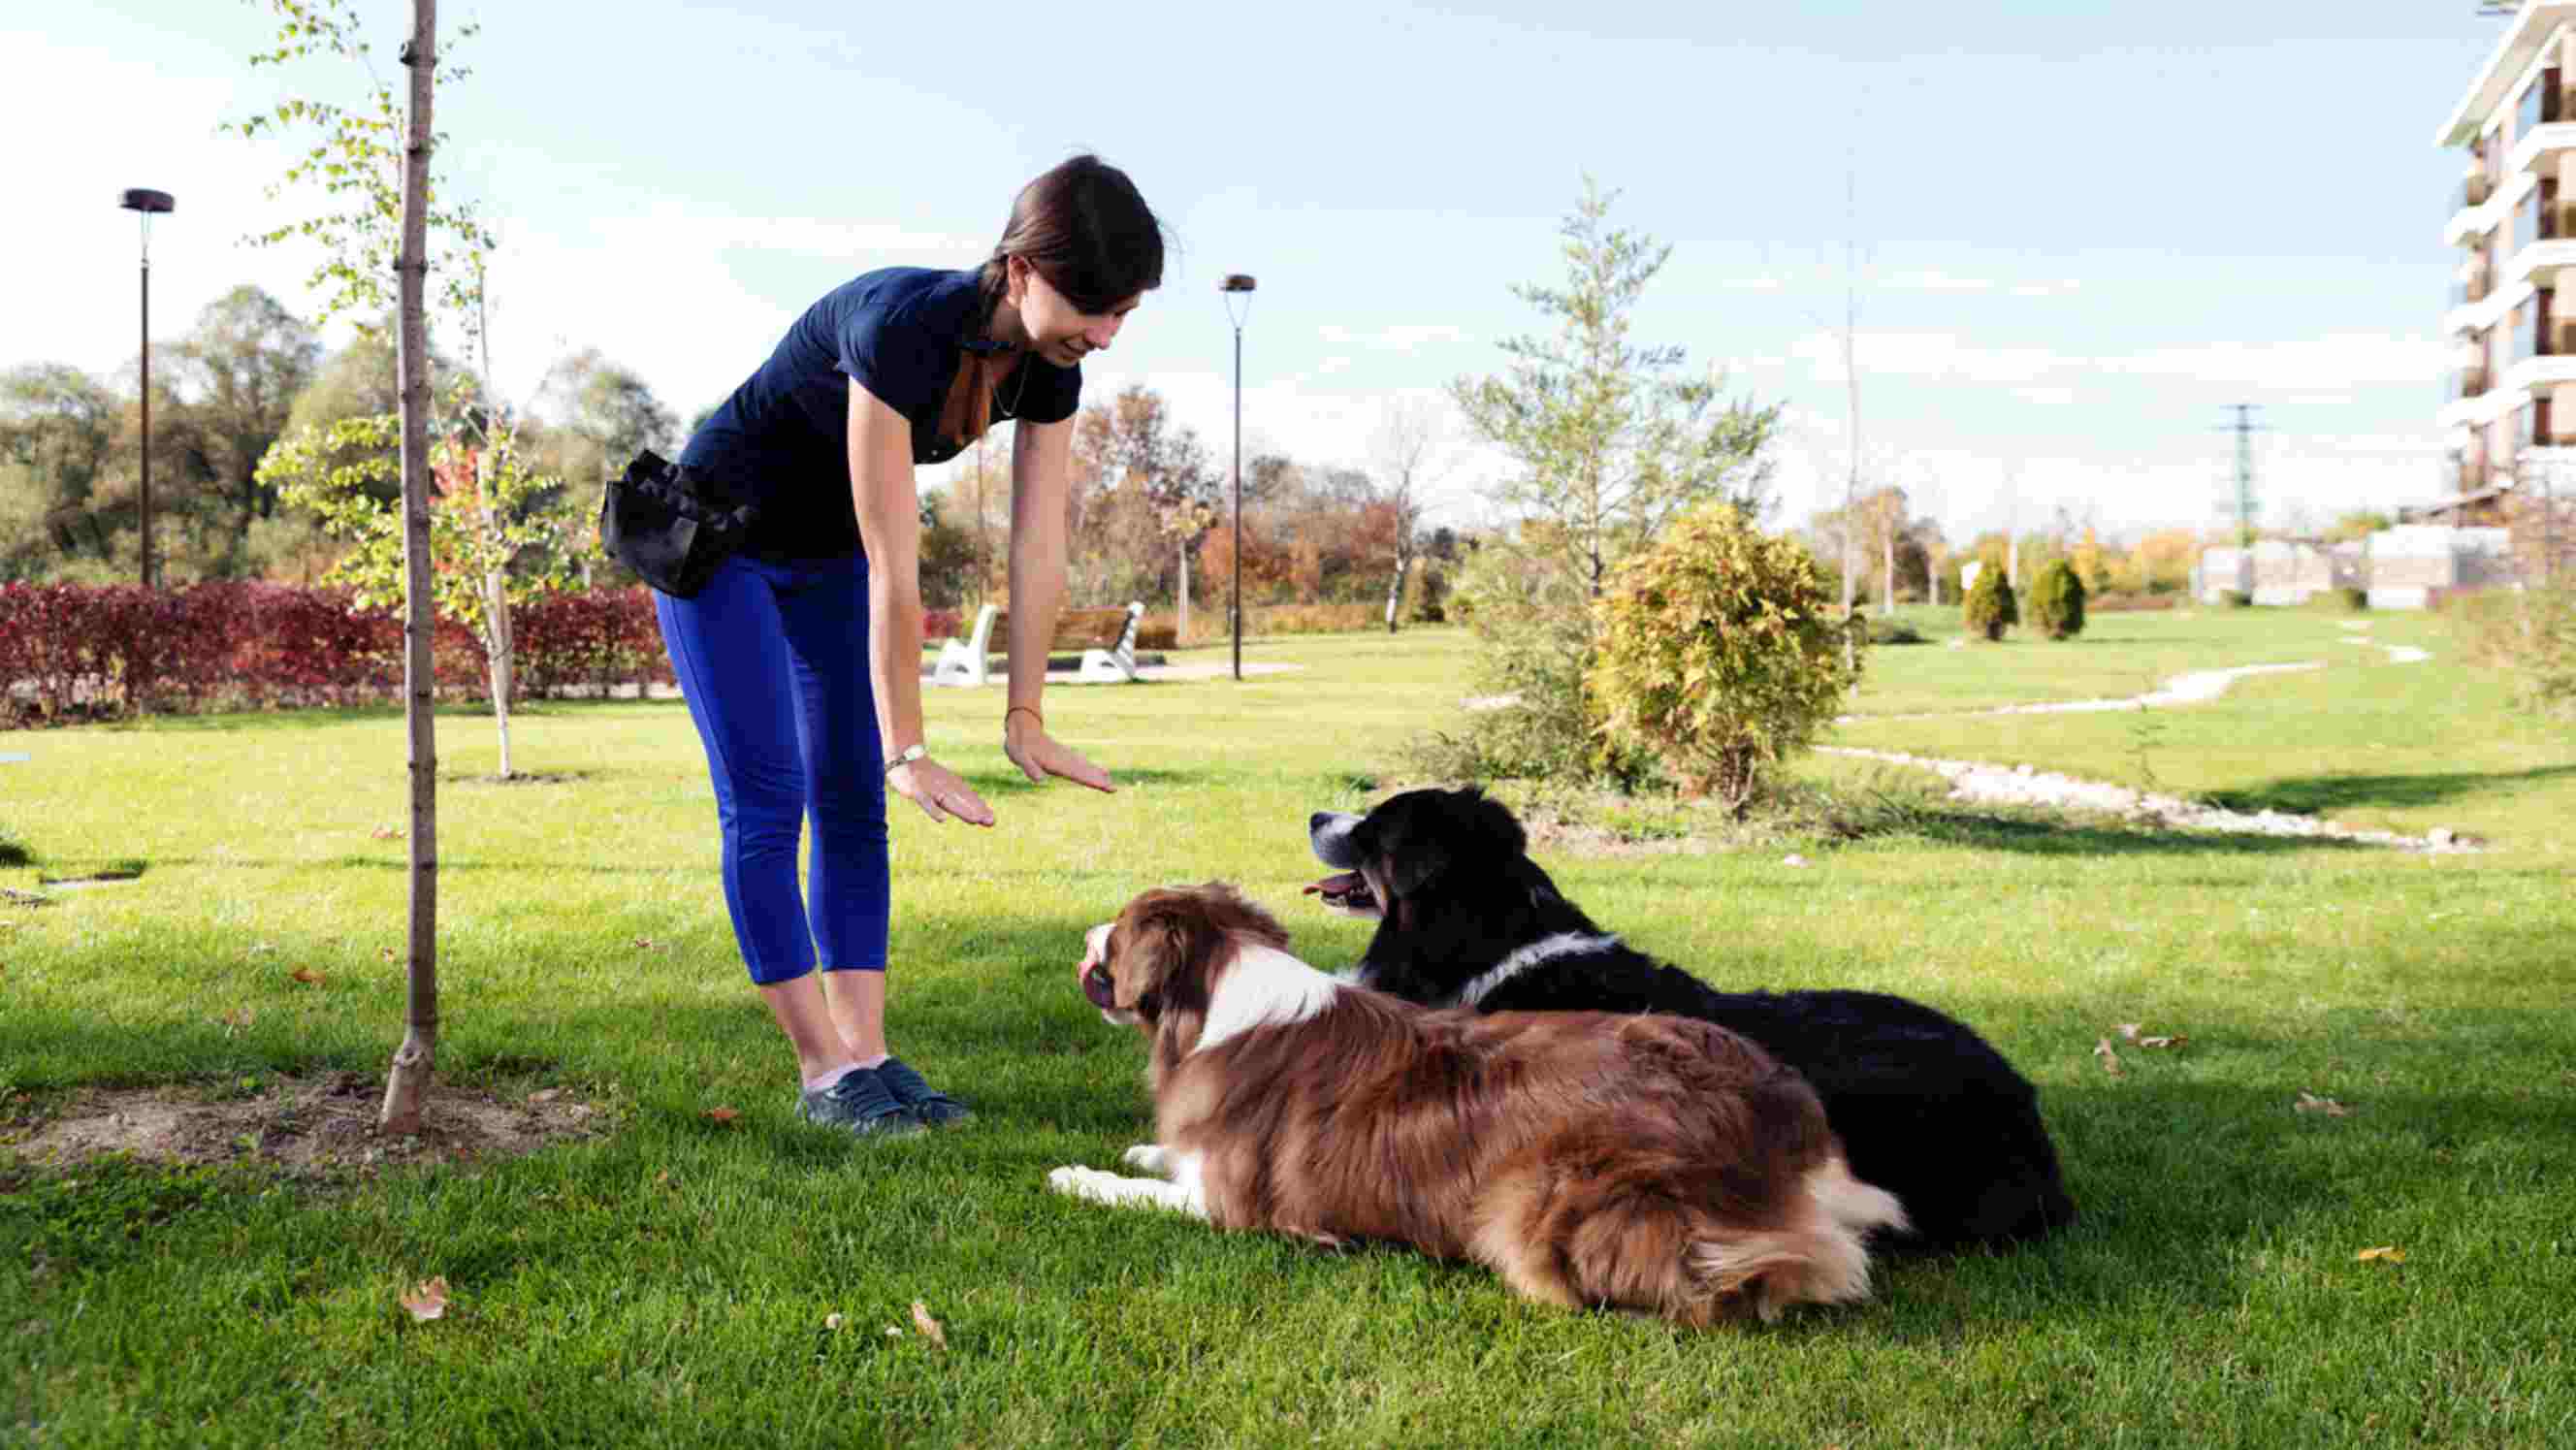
(2513, 382)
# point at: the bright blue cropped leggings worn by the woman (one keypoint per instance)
(774, 661)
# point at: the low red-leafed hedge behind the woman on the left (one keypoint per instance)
(73, 653)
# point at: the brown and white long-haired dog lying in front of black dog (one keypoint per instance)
(1593, 1160)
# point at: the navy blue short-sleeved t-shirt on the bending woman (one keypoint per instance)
(782, 442)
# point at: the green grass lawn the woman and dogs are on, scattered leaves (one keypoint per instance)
(671, 1279)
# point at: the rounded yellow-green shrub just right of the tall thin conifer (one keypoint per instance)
(1719, 653)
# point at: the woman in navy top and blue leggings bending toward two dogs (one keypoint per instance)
(802, 655)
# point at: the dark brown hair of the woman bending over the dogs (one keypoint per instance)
(1091, 236)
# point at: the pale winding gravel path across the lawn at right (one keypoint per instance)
(2026, 787)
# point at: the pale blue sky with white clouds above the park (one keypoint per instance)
(2072, 238)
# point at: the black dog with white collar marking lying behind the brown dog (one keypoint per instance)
(1926, 1109)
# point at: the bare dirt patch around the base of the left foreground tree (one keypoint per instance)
(295, 1127)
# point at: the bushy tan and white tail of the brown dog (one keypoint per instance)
(1817, 1258)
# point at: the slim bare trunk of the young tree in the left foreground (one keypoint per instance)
(419, 1055)
